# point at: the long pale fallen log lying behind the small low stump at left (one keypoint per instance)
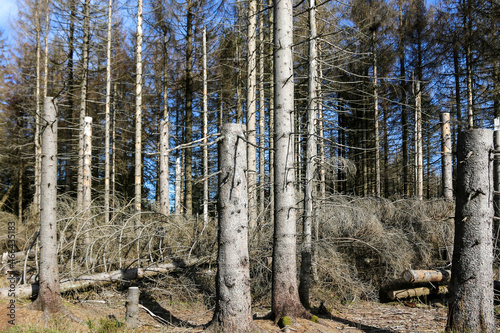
(84, 281)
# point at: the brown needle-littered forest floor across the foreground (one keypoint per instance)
(104, 311)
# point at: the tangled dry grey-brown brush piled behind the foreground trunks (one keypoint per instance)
(362, 244)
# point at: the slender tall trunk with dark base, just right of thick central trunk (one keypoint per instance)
(311, 156)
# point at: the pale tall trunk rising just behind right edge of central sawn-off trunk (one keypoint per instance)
(251, 113)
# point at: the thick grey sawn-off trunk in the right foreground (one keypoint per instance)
(471, 286)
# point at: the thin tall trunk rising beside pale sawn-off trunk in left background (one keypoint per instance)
(83, 100)
